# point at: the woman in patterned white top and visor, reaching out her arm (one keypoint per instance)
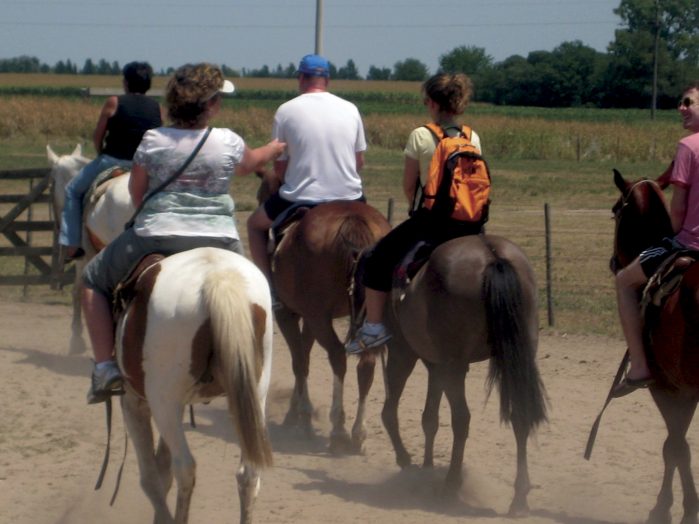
(194, 210)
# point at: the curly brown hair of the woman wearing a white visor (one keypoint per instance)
(189, 90)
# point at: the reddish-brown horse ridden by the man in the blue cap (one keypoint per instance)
(312, 271)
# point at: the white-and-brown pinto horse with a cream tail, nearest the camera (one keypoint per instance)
(199, 326)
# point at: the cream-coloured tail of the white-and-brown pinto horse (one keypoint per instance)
(237, 326)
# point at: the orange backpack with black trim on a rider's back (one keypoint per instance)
(458, 180)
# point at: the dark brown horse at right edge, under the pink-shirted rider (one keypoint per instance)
(642, 219)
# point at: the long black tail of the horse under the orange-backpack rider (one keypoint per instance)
(512, 365)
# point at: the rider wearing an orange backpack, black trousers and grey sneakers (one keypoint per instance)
(454, 201)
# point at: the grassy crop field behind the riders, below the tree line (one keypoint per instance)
(560, 158)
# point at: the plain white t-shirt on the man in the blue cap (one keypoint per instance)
(323, 133)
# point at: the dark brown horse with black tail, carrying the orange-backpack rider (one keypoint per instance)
(474, 299)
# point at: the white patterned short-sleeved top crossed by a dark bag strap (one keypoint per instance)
(196, 203)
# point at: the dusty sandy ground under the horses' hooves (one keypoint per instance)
(52, 443)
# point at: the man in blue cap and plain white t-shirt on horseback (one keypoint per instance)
(325, 152)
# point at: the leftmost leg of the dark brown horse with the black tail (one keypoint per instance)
(400, 364)
